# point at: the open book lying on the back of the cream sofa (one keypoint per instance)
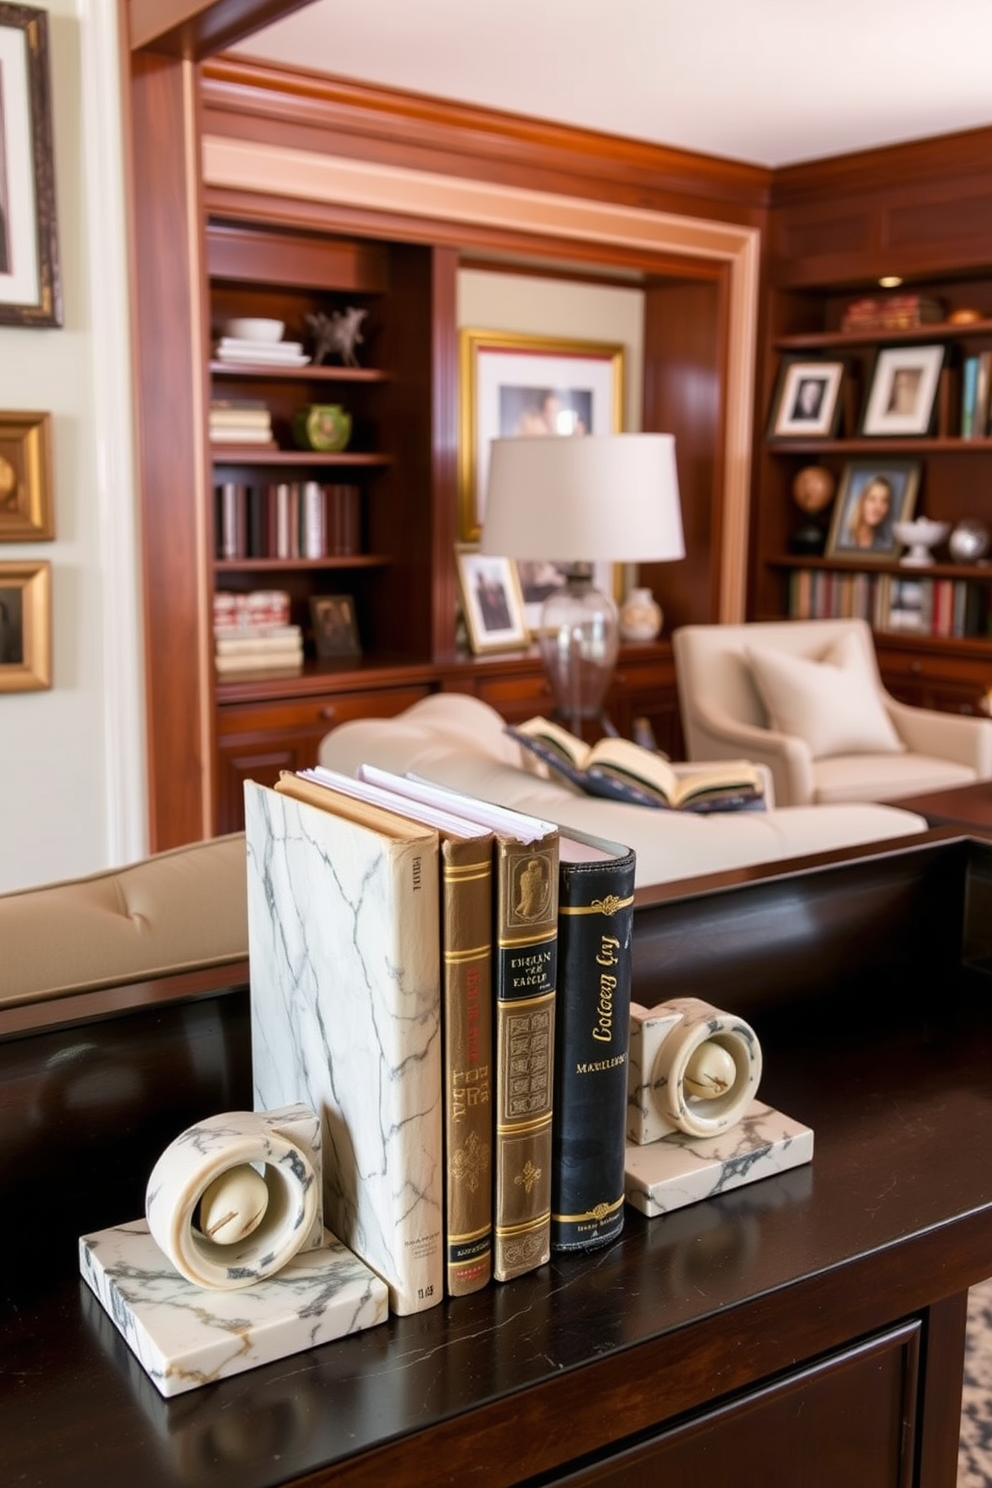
(624, 772)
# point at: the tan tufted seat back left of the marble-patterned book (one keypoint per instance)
(175, 911)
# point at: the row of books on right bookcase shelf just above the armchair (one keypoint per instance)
(892, 602)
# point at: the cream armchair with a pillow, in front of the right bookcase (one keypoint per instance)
(807, 700)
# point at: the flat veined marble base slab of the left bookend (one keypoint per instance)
(185, 1337)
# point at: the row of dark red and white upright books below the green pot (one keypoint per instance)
(289, 520)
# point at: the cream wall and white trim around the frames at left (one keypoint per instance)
(72, 779)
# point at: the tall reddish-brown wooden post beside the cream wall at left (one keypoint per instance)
(169, 344)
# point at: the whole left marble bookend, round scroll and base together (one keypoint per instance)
(233, 1267)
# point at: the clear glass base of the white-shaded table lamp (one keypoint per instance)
(581, 641)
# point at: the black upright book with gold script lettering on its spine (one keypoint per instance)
(593, 1024)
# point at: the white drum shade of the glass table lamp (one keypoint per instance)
(585, 499)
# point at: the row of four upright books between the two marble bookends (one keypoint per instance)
(450, 984)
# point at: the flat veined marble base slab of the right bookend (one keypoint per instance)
(680, 1170)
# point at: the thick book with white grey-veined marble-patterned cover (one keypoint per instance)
(346, 1016)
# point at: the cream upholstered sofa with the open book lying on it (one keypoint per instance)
(460, 742)
